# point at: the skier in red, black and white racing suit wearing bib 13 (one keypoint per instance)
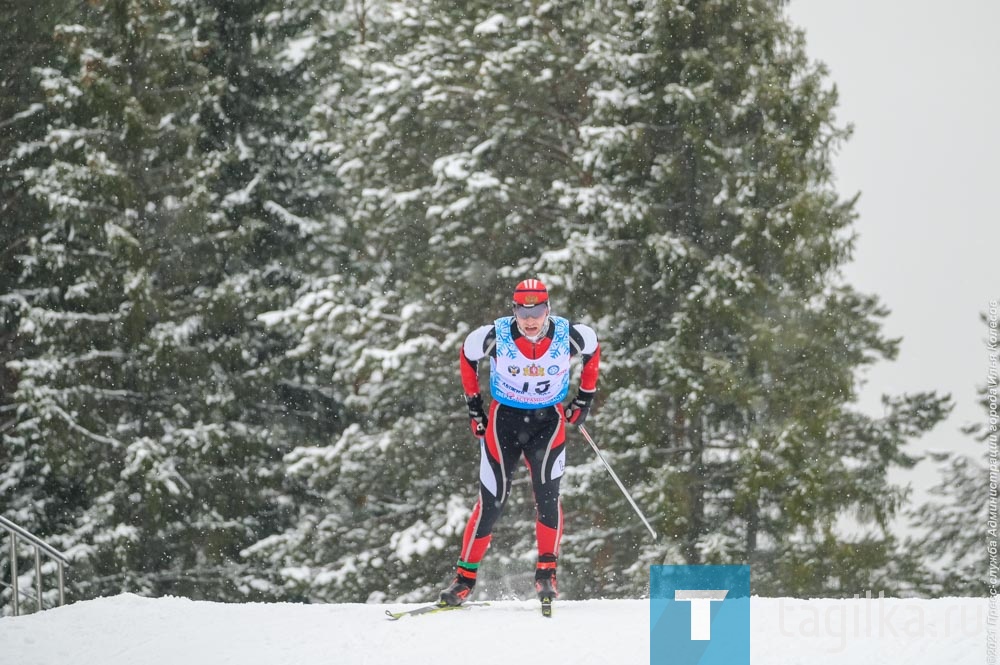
(529, 356)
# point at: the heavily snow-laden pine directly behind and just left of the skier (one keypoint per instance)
(455, 122)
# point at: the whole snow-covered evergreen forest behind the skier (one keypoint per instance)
(244, 239)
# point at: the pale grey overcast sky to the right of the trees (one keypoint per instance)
(919, 82)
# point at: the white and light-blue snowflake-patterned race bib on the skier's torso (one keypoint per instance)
(516, 380)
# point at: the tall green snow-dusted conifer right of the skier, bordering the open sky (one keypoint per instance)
(711, 243)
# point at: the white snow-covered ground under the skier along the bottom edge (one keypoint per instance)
(129, 630)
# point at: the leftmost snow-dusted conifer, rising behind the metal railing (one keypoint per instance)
(81, 287)
